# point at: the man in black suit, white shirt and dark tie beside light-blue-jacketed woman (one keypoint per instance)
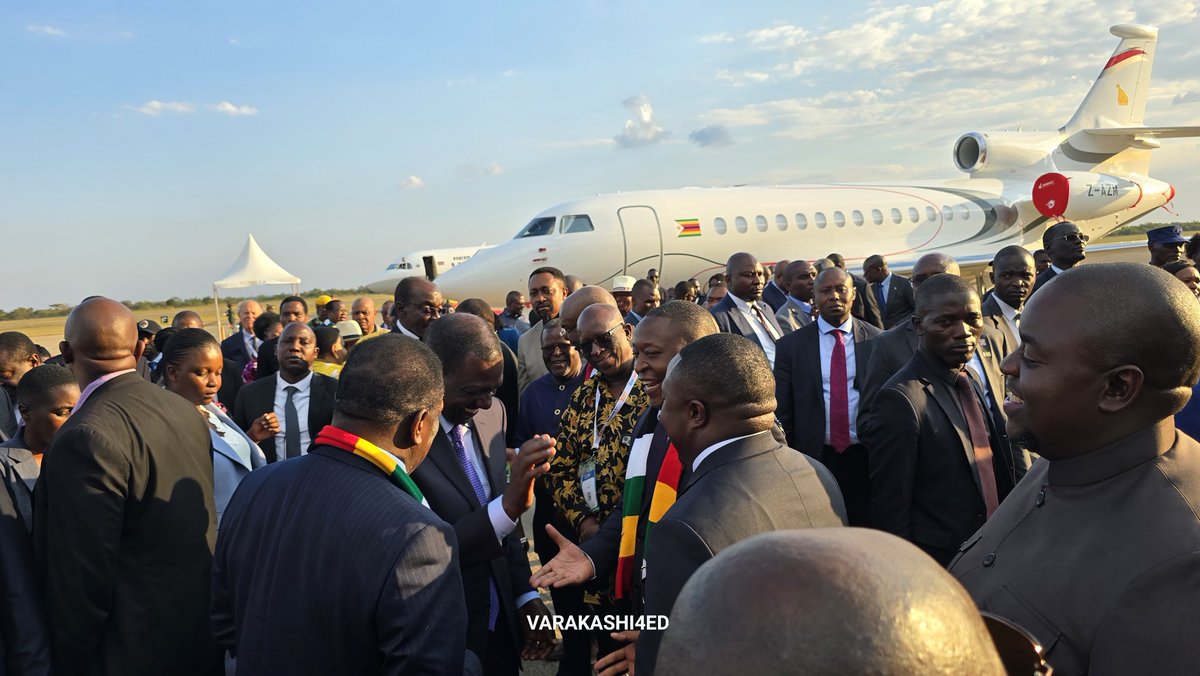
(285, 411)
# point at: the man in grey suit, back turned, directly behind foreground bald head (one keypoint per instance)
(724, 439)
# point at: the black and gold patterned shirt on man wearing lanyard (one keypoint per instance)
(575, 448)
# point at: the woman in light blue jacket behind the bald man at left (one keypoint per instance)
(191, 368)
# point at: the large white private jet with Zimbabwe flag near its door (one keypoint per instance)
(1094, 171)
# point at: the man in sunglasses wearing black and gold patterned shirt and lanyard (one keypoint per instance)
(589, 470)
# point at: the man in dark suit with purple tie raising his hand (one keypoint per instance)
(464, 482)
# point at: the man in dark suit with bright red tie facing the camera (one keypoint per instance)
(818, 390)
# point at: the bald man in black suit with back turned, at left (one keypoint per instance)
(125, 522)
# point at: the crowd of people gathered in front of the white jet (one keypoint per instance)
(173, 505)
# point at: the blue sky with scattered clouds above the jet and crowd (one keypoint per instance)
(141, 142)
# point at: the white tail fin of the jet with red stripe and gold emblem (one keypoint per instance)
(1118, 98)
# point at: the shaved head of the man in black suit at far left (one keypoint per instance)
(101, 337)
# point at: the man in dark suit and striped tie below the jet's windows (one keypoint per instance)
(742, 312)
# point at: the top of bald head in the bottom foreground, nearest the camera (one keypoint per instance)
(867, 603)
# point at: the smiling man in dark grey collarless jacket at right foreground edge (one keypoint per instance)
(1097, 551)
